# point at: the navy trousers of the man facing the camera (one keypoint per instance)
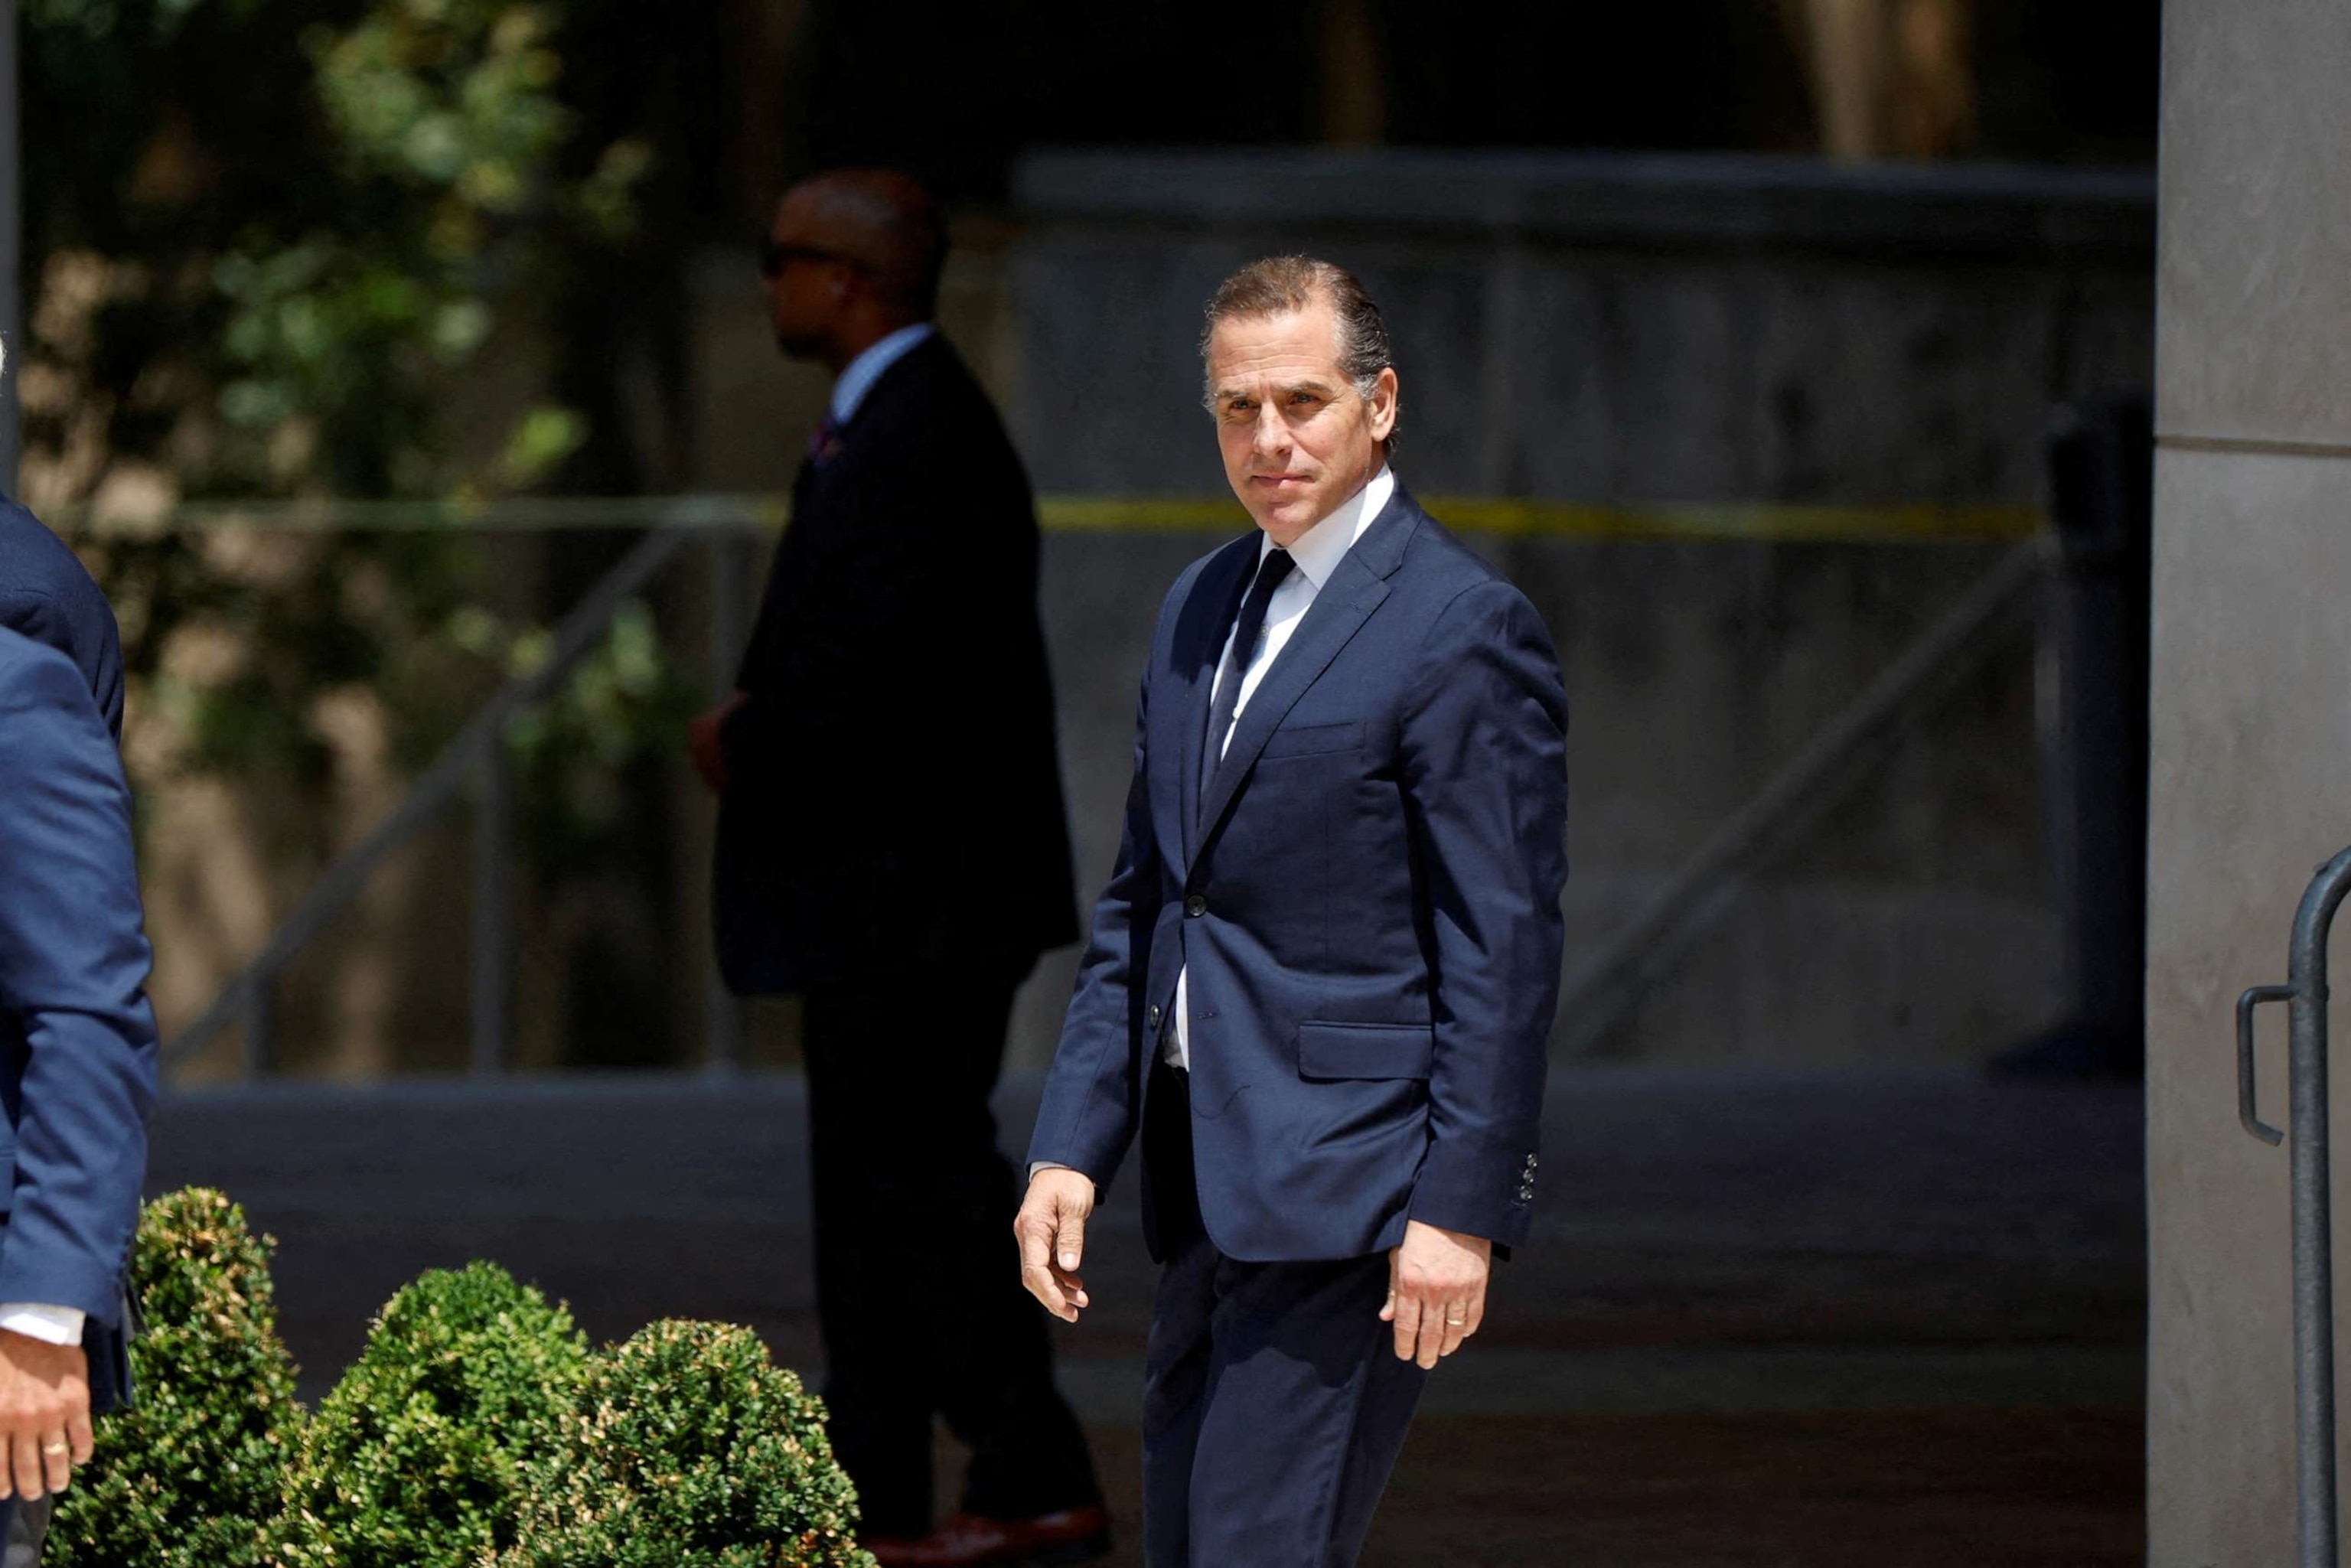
(1273, 1400)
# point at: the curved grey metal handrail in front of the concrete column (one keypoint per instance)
(2315, 1226)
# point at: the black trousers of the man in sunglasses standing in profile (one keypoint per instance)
(918, 1285)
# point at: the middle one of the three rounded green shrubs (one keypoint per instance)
(415, 1461)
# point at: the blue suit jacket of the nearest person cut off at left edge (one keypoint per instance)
(76, 1031)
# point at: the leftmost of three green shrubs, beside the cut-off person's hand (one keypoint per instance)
(189, 1477)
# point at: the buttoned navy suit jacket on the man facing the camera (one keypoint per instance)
(1367, 904)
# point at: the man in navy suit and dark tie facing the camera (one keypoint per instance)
(1325, 970)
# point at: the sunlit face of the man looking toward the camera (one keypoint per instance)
(1297, 436)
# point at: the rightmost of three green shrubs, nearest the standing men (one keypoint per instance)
(690, 1449)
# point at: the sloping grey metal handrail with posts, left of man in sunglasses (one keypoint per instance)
(476, 758)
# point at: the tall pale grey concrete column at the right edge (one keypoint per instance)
(2251, 725)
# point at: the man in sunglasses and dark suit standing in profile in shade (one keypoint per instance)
(892, 847)
